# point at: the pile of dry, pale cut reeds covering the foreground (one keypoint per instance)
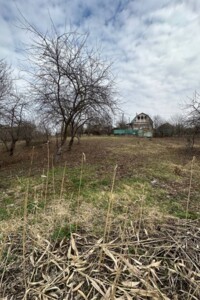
(163, 263)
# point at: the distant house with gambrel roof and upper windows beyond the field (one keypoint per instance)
(143, 124)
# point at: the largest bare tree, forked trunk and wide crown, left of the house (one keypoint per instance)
(69, 81)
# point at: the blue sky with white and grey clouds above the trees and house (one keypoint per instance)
(154, 44)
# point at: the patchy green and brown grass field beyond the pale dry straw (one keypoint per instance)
(158, 171)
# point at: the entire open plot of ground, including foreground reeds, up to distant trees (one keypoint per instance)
(102, 223)
